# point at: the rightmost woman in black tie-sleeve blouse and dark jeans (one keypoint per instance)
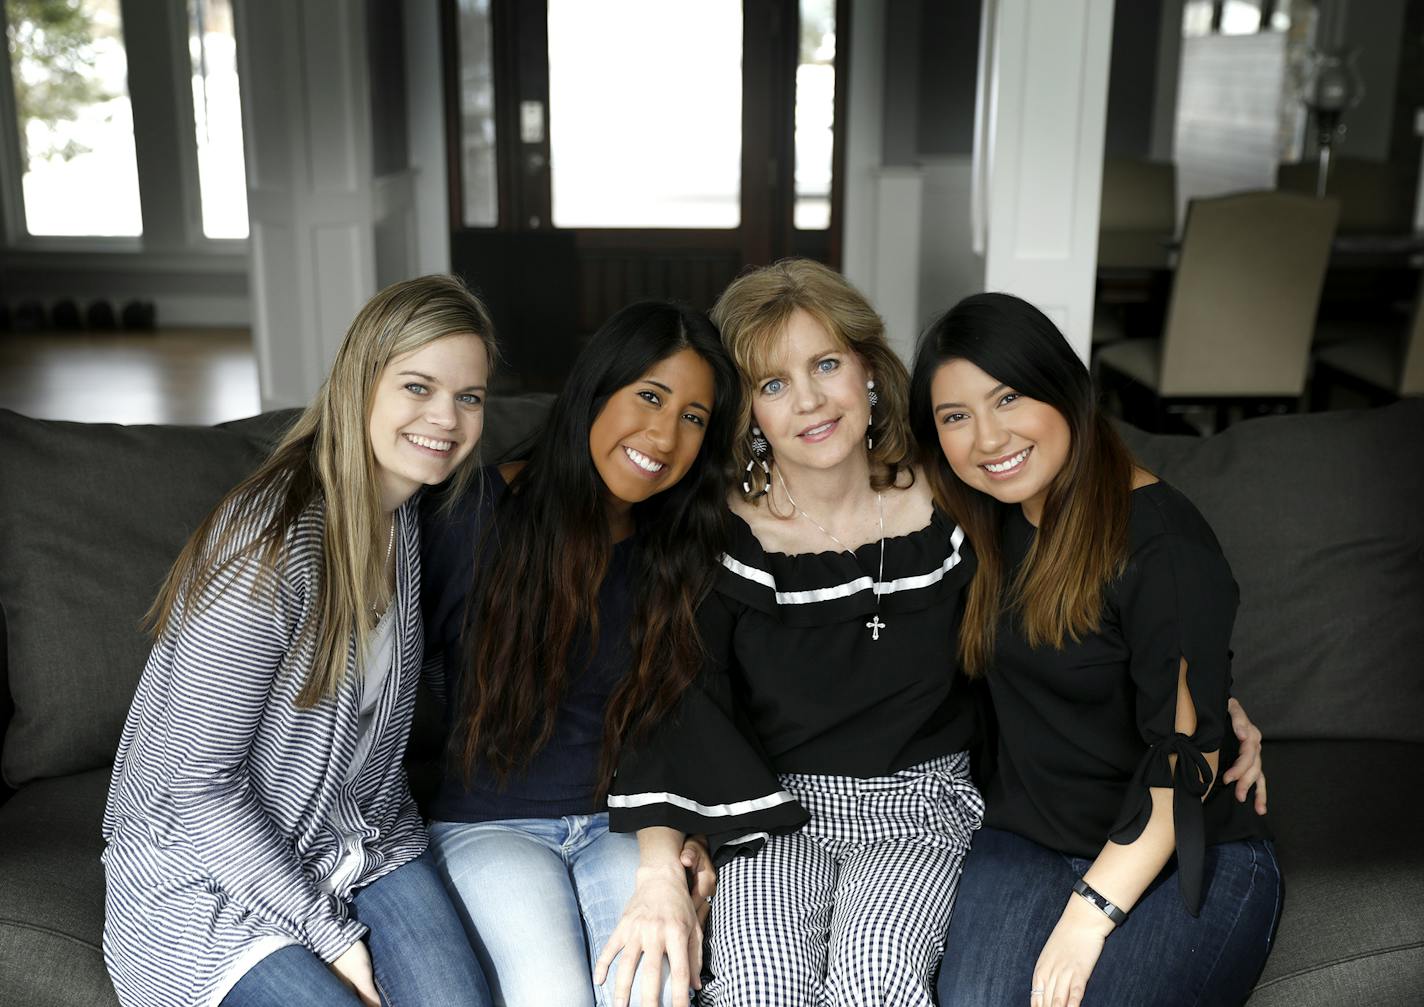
(1100, 620)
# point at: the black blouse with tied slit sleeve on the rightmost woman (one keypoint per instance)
(1087, 730)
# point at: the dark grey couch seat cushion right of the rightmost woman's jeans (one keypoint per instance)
(1351, 841)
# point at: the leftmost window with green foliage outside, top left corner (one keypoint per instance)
(75, 122)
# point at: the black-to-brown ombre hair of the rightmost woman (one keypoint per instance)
(1082, 546)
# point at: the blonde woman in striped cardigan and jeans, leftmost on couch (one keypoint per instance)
(263, 844)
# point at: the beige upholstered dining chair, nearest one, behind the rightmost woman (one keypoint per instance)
(1241, 314)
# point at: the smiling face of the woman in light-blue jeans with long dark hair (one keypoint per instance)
(649, 434)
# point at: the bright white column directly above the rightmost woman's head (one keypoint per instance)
(1040, 156)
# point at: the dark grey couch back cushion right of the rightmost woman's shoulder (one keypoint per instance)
(1322, 521)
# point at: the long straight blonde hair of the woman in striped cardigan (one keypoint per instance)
(327, 458)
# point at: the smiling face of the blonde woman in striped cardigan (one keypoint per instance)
(428, 414)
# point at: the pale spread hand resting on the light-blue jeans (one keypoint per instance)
(660, 919)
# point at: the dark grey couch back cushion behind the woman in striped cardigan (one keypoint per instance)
(92, 516)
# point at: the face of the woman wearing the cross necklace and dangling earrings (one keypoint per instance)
(812, 407)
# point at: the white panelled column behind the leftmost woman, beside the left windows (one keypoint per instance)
(314, 203)
